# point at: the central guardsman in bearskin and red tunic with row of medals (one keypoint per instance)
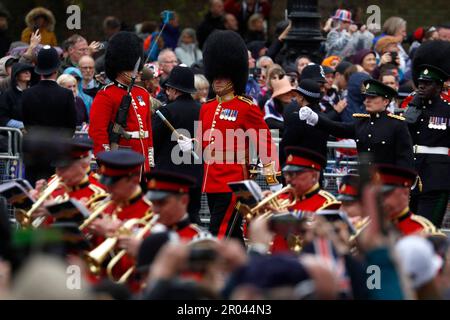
(228, 123)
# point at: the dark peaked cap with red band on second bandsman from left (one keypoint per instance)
(118, 164)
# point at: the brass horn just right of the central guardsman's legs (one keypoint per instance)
(271, 200)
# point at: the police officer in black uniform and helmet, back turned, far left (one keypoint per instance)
(47, 104)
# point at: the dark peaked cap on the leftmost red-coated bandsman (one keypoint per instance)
(73, 149)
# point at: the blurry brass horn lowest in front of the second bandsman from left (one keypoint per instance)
(96, 257)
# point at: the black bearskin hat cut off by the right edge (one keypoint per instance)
(435, 53)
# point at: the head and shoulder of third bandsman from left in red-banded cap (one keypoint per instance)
(169, 193)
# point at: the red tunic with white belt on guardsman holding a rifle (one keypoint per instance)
(103, 114)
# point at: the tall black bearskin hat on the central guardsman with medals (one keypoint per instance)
(225, 56)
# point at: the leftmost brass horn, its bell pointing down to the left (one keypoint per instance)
(25, 218)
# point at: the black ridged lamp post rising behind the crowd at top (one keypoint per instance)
(305, 35)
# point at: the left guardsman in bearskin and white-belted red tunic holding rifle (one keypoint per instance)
(124, 49)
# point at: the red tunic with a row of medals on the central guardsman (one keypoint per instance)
(239, 116)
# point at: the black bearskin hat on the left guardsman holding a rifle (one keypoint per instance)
(124, 49)
